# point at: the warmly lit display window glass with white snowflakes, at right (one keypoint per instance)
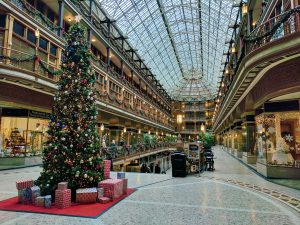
(278, 138)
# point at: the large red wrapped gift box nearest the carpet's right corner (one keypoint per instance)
(113, 188)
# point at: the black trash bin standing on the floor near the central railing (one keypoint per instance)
(178, 161)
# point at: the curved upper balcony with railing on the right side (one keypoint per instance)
(273, 41)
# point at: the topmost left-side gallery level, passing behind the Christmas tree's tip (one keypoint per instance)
(53, 23)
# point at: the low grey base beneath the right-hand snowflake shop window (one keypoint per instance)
(278, 171)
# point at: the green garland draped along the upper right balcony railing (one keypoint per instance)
(283, 18)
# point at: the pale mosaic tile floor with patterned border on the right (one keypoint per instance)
(232, 194)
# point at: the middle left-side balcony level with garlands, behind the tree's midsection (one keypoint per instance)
(34, 61)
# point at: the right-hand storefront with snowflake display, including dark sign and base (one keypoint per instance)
(278, 139)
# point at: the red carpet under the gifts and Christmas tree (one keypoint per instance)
(88, 210)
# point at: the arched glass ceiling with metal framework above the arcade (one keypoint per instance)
(182, 41)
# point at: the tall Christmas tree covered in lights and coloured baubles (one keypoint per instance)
(72, 152)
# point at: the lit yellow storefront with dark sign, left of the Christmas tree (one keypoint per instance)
(23, 132)
